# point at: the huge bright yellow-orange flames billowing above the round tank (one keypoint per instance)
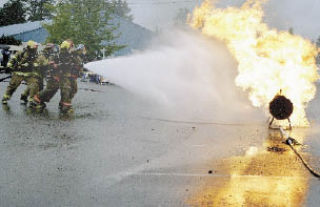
(268, 60)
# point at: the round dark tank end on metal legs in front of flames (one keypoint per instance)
(280, 108)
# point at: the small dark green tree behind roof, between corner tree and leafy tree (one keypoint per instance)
(38, 9)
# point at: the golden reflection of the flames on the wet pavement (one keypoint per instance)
(270, 176)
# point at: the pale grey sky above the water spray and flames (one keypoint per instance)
(301, 15)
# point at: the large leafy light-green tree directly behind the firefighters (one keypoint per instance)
(85, 22)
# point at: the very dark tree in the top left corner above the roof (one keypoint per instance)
(13, 12)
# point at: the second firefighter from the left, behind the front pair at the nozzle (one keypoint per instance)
(49, 61)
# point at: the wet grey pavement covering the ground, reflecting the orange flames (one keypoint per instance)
(116, 152)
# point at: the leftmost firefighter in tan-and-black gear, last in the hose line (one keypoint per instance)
(24, 67)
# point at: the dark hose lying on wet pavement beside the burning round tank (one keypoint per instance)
(291, 142)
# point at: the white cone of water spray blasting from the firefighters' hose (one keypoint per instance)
(190, 76)
